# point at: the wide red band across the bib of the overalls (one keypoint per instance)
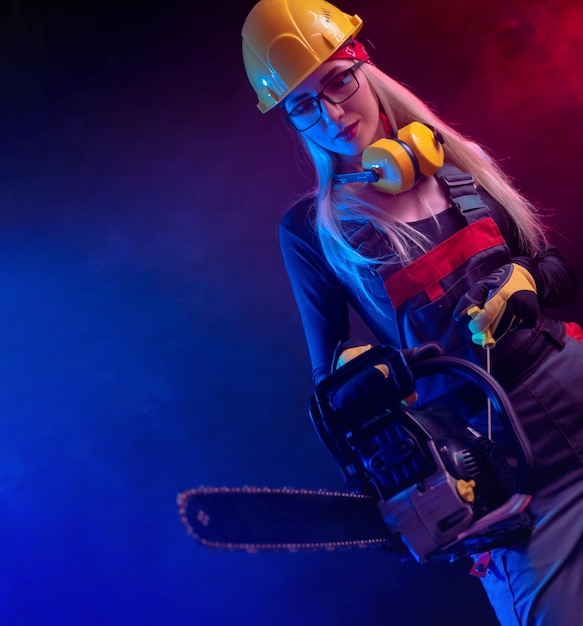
(426, 272)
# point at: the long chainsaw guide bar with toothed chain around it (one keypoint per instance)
(263, 518)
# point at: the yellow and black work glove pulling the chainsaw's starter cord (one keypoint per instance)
(499, 303)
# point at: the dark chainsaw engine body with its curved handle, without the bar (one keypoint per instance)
(444, 489)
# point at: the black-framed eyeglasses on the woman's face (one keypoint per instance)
(337, 90)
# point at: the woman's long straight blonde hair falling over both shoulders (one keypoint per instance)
(336, 205)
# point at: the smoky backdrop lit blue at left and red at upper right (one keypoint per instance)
(149, 341)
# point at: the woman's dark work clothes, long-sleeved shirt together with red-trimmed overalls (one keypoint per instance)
(541, 369)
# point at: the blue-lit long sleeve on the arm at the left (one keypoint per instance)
(321, 299)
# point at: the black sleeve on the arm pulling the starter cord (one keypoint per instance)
(556, 283)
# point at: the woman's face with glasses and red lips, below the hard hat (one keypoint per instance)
(346, 128)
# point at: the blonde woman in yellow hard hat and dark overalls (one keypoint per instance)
(418, 230)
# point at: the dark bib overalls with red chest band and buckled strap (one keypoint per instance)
(533, 581)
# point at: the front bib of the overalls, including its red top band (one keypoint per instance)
(425, 292)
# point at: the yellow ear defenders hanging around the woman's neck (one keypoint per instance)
(395, 165)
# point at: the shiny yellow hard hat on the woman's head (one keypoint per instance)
(284, 41)
